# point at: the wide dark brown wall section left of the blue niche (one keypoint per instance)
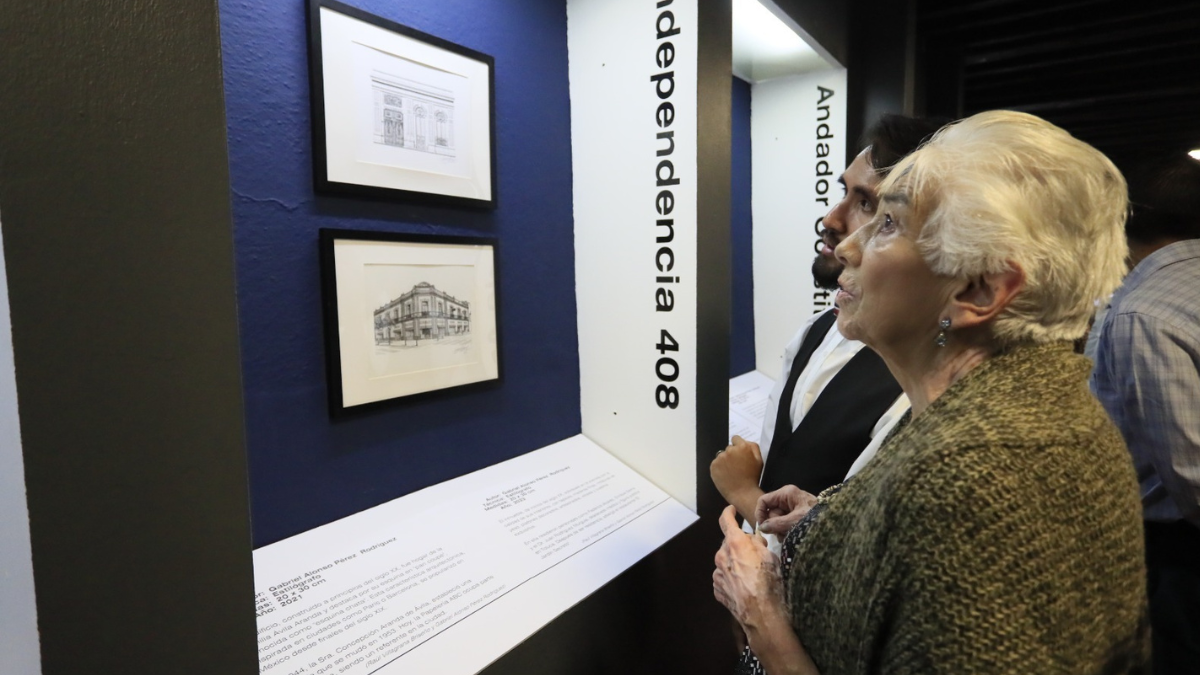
(115, 193)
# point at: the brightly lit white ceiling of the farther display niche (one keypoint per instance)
(765, 47)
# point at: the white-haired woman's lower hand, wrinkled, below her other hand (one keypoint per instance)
(747, 578)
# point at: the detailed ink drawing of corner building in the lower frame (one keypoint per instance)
(422, 314)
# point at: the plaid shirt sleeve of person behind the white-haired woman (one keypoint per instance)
(1148, 377)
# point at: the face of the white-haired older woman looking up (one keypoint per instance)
(889, 297)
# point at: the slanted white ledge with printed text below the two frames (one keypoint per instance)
(448, 580)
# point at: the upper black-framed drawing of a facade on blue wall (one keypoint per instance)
(398, 114)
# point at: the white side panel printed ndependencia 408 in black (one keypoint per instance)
(623, 262)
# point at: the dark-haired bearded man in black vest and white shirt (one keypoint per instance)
(836, 396)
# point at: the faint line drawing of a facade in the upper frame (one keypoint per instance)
(415, 116)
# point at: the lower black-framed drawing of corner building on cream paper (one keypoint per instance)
(406, 315)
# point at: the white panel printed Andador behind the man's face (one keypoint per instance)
(794, 188)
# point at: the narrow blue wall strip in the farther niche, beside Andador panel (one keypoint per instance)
(742, 230)
